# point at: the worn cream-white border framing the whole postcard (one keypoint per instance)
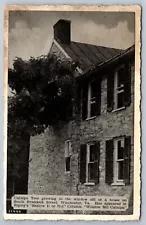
(137, 135)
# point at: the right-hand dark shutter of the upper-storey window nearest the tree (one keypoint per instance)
(98, 96)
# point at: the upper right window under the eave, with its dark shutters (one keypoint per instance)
(119, 87)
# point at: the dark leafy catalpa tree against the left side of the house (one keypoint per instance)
(44, 90)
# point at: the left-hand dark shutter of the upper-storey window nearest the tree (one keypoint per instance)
(84, 101)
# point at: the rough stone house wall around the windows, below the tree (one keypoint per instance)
(47, 162)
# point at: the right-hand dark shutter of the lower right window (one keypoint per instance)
(127, 152)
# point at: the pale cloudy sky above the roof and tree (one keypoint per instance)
(31, 33)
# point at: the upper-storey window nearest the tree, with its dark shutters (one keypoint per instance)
(91, 99)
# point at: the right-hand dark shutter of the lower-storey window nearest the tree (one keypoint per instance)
(97, 161)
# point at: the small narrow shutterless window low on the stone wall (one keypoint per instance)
(68, 152)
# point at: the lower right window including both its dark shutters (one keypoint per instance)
(118, 160)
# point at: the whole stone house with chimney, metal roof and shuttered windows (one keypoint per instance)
(92, 154)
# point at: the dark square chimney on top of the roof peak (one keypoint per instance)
(62, 31)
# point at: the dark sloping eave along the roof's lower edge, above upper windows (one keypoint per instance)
(128, 51)
